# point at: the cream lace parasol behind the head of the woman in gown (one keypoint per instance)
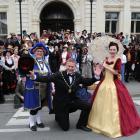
(98, 48)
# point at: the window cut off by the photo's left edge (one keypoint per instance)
(3, 25)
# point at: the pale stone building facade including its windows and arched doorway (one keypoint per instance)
(110, 16)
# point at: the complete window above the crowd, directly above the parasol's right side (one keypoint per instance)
(111, 23)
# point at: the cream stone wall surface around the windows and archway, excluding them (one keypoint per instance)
(31, 10)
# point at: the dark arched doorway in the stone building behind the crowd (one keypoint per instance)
(56, 16)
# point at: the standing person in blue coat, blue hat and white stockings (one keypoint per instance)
(36, 93)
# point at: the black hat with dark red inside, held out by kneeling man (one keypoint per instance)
(25, 64)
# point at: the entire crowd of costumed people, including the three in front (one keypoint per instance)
(57, 55)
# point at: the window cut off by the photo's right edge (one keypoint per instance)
(135, 23)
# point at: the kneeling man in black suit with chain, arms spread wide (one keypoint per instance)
(65, 99)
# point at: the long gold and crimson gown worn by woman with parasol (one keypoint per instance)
(113, 112)
